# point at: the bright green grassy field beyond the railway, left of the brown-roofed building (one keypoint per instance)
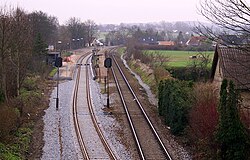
(180, 58)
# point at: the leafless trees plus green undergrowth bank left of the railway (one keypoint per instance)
(24, 42)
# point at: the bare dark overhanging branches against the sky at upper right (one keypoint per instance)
(230, 27)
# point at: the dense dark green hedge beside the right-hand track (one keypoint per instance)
(174, 102)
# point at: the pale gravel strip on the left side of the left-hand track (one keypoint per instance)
(58, 133)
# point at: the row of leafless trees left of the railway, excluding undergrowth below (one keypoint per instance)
(24, 39)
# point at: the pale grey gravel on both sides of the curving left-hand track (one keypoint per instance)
(59, 134)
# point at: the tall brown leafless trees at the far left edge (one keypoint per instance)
(15, 49)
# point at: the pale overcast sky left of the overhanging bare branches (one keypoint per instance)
(114, 11)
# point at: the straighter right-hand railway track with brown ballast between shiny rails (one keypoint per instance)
(149, 143)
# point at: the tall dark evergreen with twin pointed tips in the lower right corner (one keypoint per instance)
(231, 134)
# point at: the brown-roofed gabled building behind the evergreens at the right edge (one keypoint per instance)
(232, 64)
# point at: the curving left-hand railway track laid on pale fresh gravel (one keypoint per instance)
(92, 143)
